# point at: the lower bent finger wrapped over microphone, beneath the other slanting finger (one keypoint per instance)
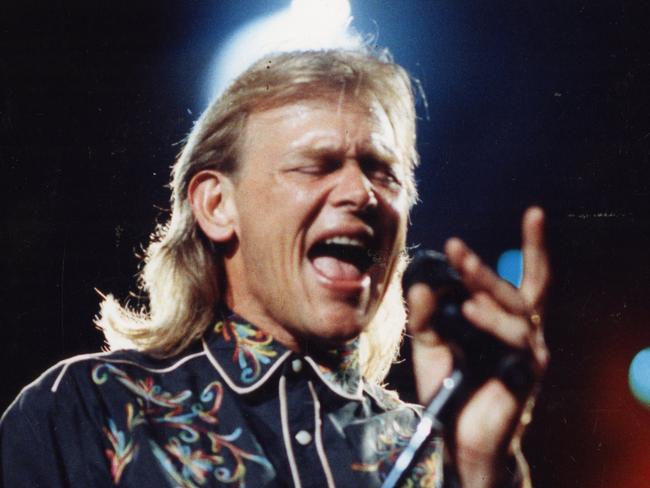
(487, 315)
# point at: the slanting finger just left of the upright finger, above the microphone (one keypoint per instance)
(478, 277)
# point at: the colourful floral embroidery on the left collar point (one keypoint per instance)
(253, 348)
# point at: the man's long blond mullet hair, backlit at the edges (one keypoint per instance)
(183, 272)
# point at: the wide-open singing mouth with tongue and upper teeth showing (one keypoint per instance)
(342, 258)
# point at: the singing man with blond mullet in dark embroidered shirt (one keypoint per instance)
(275, 310)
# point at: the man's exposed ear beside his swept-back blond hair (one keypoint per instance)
(211, 197)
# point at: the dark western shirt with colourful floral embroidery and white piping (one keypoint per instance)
(236, 409)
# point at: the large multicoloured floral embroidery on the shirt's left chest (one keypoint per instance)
(185, 463)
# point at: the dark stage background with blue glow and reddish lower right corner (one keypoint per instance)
(541, 102)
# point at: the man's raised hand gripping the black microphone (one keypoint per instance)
(492, 417)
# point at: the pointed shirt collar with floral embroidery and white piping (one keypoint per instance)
(246, 357)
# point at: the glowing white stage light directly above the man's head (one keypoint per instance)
(305, 24)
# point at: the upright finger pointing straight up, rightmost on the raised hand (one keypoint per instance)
(536, 266)
